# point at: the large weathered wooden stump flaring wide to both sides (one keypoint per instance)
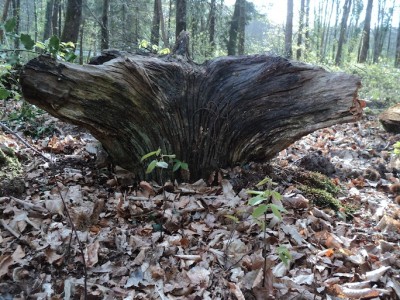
(226, 111)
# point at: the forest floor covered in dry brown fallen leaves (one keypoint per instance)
(141, 241)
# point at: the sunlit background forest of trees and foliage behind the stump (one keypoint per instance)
(358, 36)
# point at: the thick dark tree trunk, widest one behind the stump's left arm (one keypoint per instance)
(73, 16)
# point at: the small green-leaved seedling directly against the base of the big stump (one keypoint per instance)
(160, 162)
